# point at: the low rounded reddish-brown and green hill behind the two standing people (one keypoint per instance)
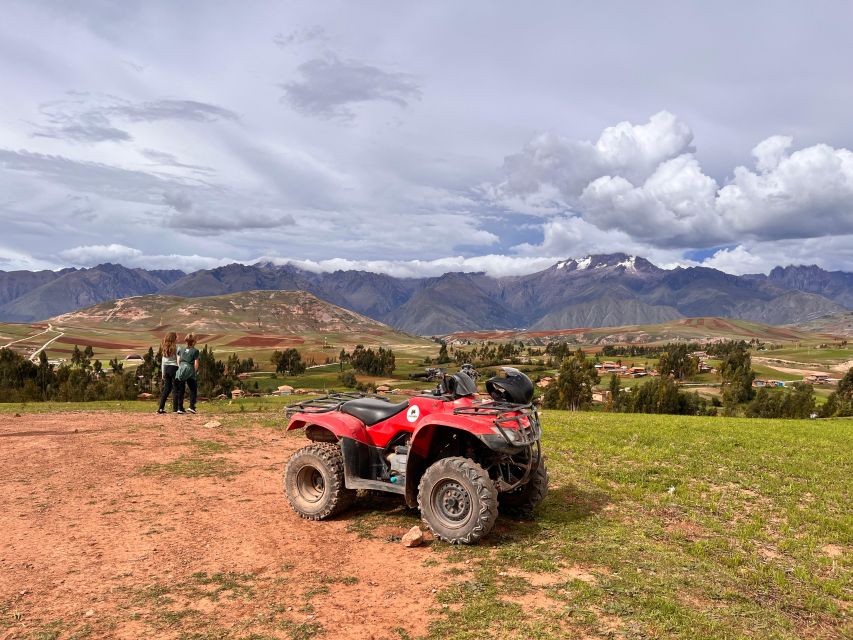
(251, 324)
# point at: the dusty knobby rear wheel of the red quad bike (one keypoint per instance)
(314, 481)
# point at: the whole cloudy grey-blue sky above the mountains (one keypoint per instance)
(417, 138)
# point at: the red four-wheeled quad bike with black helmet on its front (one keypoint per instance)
(455, 457)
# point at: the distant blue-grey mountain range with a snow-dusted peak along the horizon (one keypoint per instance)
(595, 291)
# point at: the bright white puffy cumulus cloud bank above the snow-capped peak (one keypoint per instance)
(645, 181)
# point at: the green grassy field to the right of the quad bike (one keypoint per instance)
(675, 527)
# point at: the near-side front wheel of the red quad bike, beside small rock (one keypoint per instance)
(458, 500)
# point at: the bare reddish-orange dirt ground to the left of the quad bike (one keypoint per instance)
(94, 540)
